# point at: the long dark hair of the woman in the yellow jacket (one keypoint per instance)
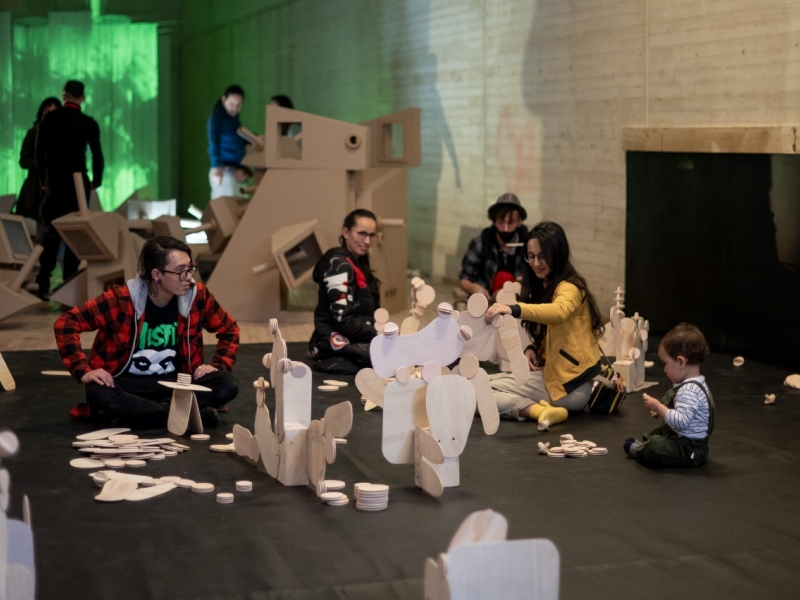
(555, 251)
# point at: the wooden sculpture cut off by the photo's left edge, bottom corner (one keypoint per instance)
(17, 569)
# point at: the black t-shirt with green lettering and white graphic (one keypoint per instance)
(156, 352)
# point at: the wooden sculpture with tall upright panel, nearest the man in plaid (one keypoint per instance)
(296, 449)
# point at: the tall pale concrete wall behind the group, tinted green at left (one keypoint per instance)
(523, 96)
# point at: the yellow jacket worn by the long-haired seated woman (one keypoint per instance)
(570, 345)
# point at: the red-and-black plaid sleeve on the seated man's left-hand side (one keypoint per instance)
(93, 315)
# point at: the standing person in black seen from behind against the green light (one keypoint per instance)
(60, 152)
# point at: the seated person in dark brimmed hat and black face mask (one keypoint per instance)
(497, 255)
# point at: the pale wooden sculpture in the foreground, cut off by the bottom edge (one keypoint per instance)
(481, 563)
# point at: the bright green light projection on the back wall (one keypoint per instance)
(118, 62)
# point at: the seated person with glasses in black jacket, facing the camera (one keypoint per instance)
(349, 293)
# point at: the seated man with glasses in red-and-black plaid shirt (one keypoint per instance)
(149, 330)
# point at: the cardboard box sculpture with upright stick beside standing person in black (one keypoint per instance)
(104, 241)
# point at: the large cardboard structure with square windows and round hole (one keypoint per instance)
(329, 168)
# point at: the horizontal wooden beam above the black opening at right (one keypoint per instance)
(773, 139)
